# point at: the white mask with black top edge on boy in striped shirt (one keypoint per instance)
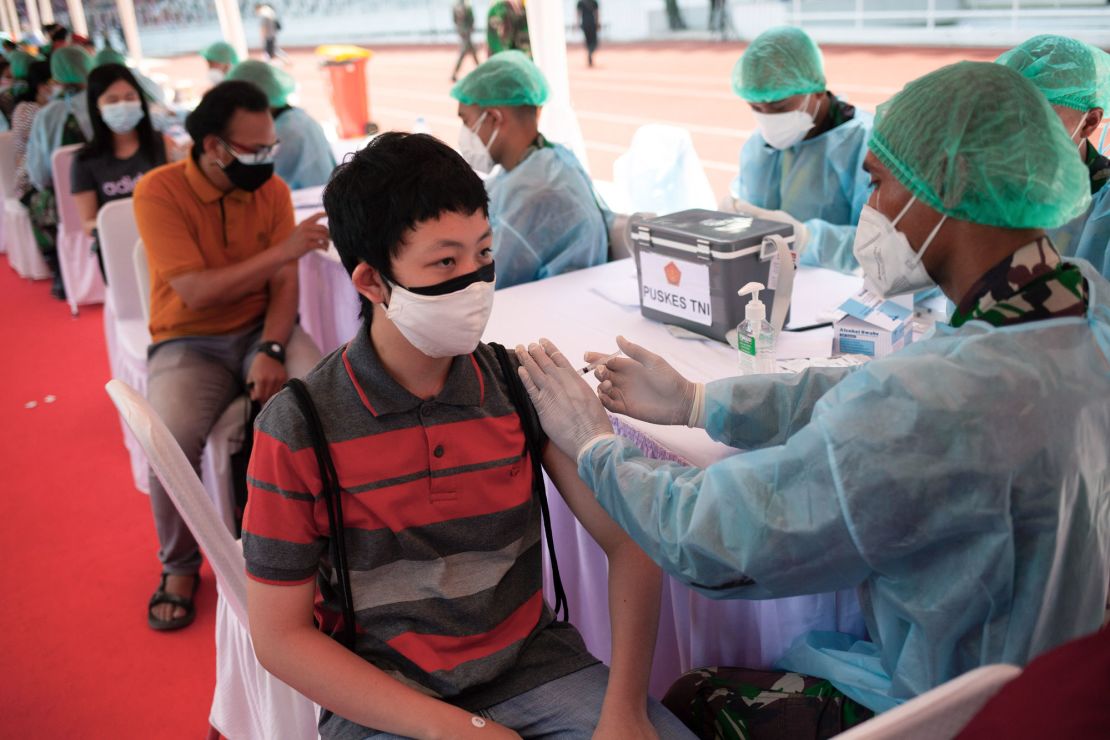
(445, 320)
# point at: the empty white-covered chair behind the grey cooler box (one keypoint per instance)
(661, 173)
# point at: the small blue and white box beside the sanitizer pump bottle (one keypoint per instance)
(869, 326)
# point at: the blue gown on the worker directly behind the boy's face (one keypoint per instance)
(546, 219)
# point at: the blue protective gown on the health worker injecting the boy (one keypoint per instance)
(961, 484)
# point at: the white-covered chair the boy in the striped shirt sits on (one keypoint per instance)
(249, 703)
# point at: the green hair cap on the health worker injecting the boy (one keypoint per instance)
(951, 141)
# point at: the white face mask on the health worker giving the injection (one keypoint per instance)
(890, 263)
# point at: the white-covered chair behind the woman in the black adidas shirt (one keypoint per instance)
(80, 271)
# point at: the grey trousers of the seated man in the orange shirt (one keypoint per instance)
(190, 382)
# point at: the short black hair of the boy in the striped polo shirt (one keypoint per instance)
(396, 183)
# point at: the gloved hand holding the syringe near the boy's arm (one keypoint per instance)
(645, 387)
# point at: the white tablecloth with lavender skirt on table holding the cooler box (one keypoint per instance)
(586, 311)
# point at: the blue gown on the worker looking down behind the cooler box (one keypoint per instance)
(820, 181)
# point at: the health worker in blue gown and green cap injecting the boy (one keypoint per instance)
(960, 484)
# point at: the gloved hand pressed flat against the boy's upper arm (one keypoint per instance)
(569, 411)
